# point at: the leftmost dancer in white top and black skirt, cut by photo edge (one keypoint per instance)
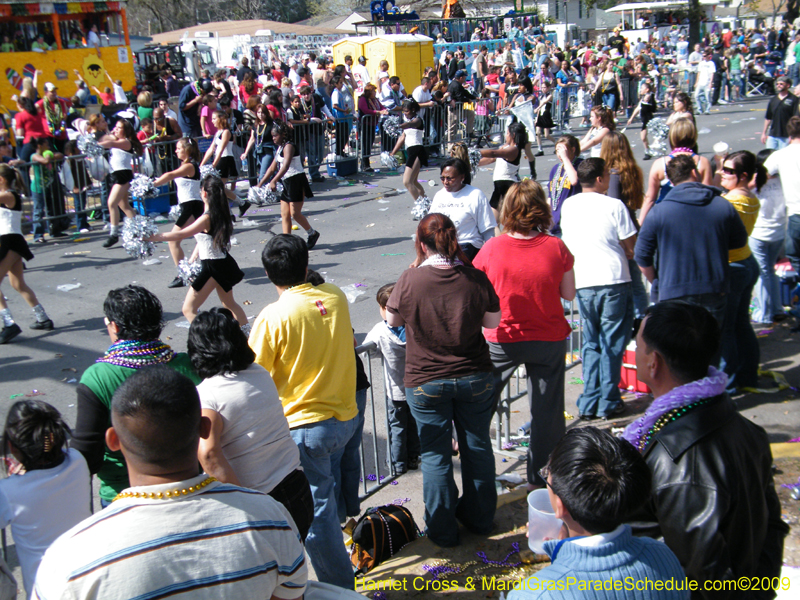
(13, 250)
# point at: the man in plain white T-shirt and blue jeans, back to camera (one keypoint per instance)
(599, 232)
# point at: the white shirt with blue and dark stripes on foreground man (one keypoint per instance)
(219, 542)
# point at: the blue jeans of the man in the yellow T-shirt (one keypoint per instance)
(321, 446)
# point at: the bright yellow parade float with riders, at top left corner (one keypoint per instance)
(55, 38)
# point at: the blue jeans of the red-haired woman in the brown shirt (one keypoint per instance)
(467, 402)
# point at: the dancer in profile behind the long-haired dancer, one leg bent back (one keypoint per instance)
(187, 182)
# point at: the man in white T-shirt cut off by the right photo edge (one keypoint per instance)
(785, 162)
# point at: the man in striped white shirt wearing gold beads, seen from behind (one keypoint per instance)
(176, 530)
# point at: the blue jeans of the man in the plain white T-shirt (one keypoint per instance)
(607, 317)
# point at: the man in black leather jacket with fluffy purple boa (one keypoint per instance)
(713, 499)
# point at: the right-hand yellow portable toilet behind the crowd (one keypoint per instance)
(407, 54)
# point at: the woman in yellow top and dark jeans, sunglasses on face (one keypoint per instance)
(739, 345)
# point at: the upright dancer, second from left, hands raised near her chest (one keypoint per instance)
(122, 144)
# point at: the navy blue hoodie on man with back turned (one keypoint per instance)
(691, 229)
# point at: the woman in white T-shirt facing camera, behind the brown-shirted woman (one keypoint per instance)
(466, 206)
